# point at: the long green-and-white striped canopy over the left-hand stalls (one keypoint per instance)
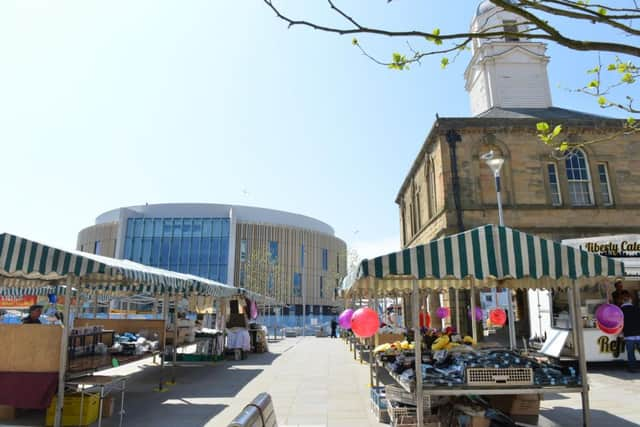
(30, 267)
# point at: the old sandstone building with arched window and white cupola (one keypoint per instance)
(592, 191)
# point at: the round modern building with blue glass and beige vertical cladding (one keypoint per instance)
(272, 252)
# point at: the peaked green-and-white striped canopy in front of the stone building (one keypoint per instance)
(487, 256)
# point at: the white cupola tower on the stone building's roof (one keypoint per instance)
(505, 72)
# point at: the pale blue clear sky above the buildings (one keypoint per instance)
(110, 104)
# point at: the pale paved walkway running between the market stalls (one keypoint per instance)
(316, 382)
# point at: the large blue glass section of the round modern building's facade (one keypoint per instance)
(198, 246)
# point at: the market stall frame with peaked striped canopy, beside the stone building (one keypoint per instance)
(485, 257)
